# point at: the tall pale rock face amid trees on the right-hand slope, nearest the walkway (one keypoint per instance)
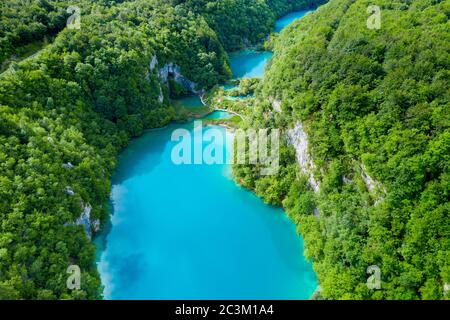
(298, 138)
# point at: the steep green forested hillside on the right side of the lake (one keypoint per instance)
(375, 107)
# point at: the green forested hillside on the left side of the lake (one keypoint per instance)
(67, 112)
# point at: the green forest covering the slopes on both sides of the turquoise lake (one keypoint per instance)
(374, 104)
